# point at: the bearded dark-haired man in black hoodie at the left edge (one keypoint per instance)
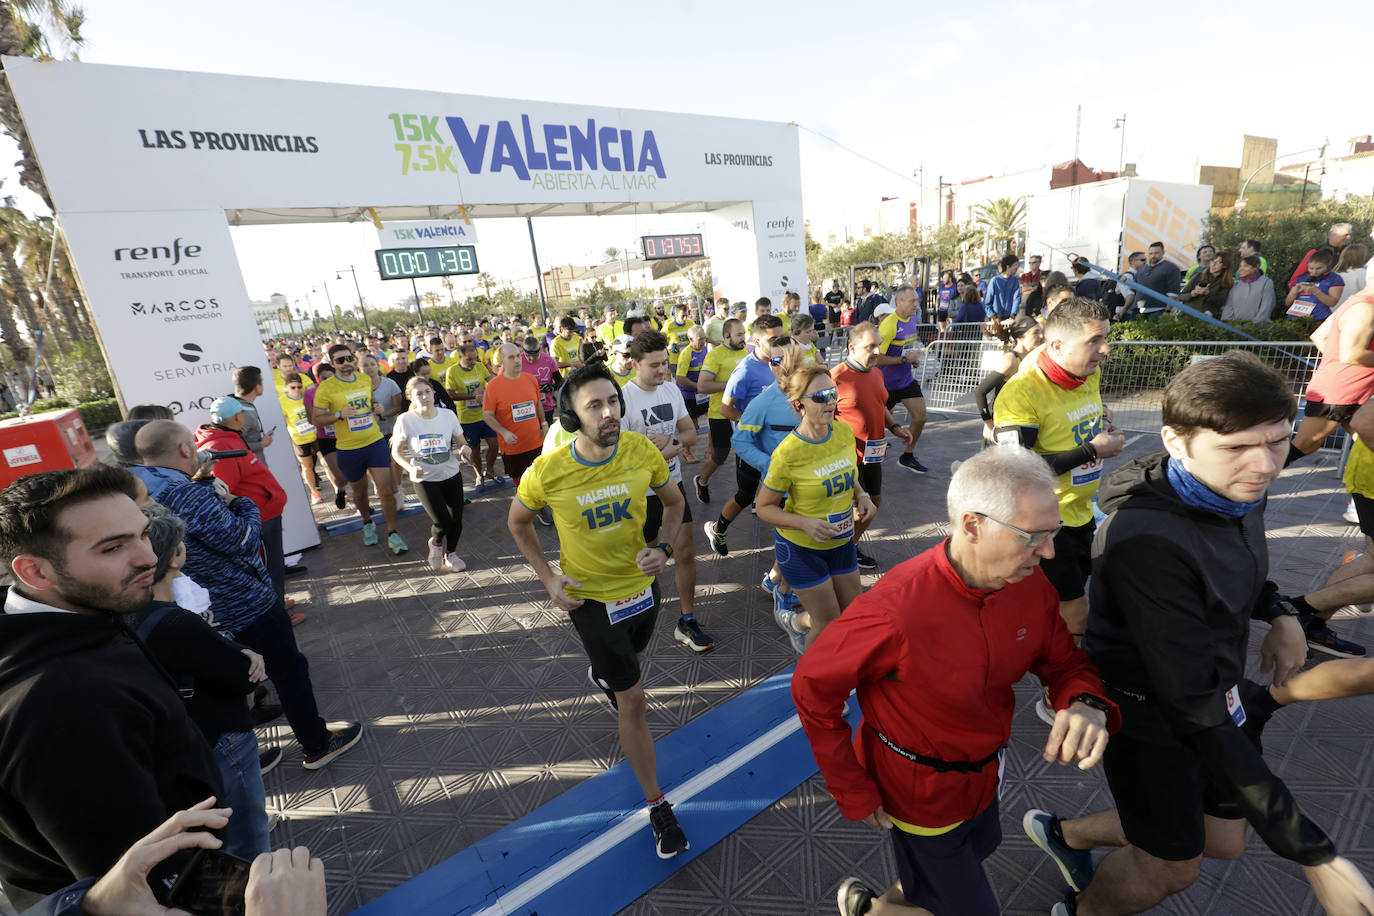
(95, 744)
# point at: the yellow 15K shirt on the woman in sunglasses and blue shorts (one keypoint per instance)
(820, 483)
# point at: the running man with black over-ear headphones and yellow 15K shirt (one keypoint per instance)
(597, 488)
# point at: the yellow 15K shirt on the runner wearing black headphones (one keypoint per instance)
(600, 513)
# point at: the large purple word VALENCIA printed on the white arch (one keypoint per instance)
(567, 148)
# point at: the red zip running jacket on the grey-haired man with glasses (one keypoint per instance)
(934, 663)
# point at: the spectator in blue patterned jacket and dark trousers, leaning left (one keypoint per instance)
(222, 554)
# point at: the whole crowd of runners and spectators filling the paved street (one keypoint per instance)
(1126, 588)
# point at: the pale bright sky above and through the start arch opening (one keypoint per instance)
(958, 90)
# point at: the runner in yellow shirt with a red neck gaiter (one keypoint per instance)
(1056, 409)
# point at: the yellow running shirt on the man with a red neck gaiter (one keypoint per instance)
(1066, 421)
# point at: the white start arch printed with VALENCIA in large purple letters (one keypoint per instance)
(149, 170)
